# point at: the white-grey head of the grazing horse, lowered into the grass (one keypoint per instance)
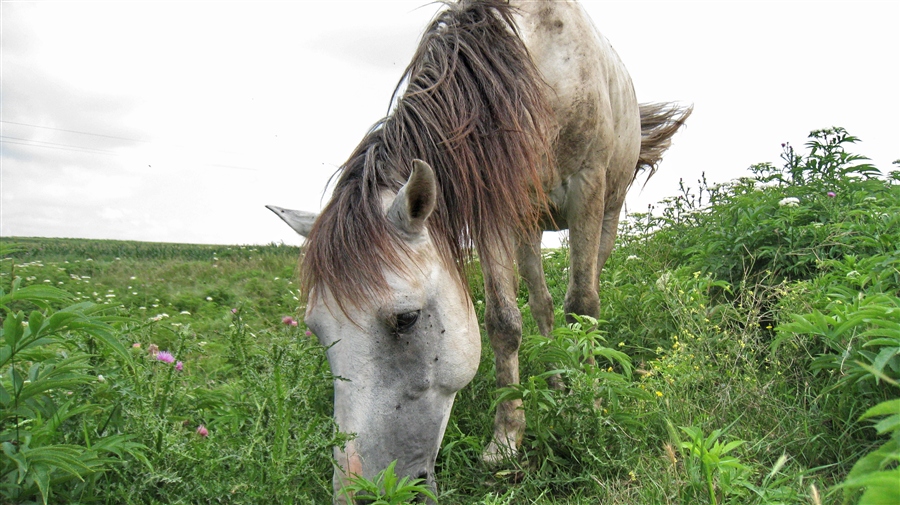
(398, 360)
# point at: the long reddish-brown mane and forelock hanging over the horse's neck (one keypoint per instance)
(474, 109)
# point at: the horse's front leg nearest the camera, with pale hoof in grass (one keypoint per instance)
(503, 321)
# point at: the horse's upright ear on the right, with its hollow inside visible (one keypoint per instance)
(415, 200)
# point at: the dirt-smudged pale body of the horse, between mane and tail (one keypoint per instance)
(591, 94)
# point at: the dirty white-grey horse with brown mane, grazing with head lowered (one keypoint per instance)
(515, 117)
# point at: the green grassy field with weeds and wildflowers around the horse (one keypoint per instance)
(746, 330)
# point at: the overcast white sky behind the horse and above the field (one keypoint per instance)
(179, 121)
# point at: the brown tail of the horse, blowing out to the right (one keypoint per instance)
(659, 122)
